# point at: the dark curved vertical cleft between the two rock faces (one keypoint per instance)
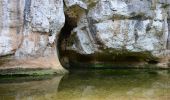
(70, 24)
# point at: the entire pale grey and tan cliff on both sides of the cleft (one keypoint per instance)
(30, 29)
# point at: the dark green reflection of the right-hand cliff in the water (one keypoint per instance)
(115, 85)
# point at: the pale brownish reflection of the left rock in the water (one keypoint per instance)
(26, 90)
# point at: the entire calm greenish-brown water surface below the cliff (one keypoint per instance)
(92, 85)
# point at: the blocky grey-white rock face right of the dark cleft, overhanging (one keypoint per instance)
(121, 25)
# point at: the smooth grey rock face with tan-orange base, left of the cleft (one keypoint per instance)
(29, 30)
